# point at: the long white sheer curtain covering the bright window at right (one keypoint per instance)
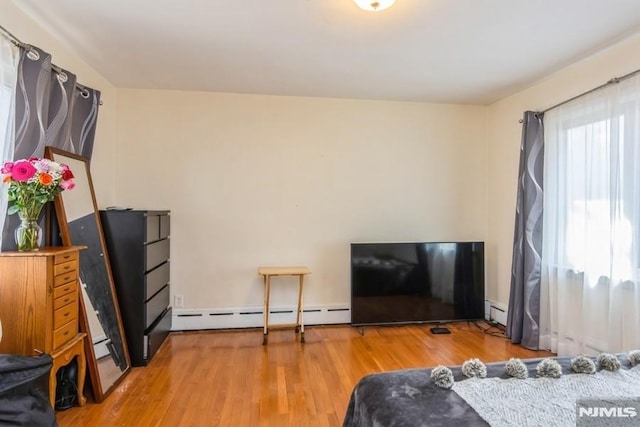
(590, 292)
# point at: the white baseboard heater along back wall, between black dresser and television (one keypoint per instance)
(184, 319)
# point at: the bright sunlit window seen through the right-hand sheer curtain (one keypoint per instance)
(592, 184)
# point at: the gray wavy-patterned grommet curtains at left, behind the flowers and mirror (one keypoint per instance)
(51, 110)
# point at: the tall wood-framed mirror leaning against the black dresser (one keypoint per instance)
(79, 220)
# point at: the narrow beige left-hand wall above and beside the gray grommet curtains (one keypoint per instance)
(34, 33)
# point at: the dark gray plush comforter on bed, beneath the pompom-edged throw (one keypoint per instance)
(409, 398)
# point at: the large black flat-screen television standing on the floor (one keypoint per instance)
(416, 282)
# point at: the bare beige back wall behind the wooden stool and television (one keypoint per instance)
(263, 180)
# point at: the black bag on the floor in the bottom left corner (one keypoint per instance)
(24, 391)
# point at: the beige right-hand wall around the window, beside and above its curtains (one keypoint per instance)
(504, 145)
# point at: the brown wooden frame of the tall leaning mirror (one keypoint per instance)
(99, 393)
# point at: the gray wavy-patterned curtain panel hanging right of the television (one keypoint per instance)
(524, 300)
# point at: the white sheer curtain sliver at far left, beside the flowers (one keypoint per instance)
(9, 56)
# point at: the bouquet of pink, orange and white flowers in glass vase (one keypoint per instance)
(32, 183)
